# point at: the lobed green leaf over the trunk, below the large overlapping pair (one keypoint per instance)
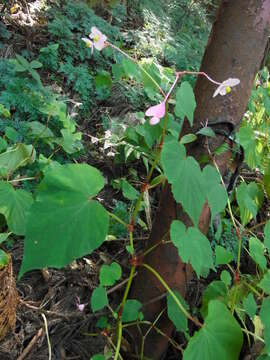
(192, 246)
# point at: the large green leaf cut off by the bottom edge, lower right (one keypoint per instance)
(220, 337)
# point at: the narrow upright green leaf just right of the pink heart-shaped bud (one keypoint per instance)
(185, 102)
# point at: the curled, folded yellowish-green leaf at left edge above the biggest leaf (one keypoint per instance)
(15, 157)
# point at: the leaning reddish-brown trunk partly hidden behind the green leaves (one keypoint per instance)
(235, 49)
